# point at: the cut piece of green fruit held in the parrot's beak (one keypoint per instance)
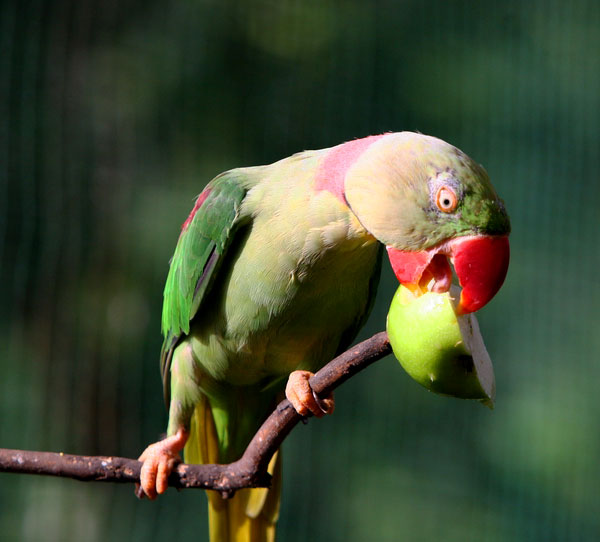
(438, 348)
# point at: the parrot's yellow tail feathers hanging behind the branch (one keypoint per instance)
(251, 514)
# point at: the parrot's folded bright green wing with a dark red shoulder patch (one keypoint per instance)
(204, 239)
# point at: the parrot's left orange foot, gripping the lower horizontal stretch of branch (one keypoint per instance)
(159, 460)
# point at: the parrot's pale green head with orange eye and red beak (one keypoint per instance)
(431, 205)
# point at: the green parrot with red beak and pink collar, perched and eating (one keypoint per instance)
(274, 273)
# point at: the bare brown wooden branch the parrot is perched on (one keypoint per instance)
(249, 471)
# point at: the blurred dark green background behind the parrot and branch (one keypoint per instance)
(113, 116)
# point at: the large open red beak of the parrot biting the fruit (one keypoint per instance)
(480, 262)
